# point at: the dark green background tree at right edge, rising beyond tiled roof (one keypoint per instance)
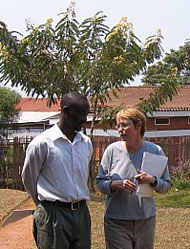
(178, 60)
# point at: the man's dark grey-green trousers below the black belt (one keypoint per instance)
(56, 227)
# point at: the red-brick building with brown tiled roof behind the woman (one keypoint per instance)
(171, 119)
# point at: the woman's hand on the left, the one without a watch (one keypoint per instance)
(125, 185)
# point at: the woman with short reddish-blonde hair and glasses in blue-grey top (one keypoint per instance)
(129, 221)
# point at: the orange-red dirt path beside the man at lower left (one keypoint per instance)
(18, 235)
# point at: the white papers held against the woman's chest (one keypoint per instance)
(153, 165)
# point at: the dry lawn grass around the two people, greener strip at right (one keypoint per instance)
(173, 218)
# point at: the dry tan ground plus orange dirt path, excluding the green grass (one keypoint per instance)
(172, 232)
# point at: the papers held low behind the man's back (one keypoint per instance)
(17, 215)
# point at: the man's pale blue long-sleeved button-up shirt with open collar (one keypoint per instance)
(56, 168)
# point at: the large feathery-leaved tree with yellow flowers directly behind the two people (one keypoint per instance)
(88, 57)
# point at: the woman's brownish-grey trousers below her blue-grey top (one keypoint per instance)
(129, 234)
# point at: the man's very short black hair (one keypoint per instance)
(72, 98)
